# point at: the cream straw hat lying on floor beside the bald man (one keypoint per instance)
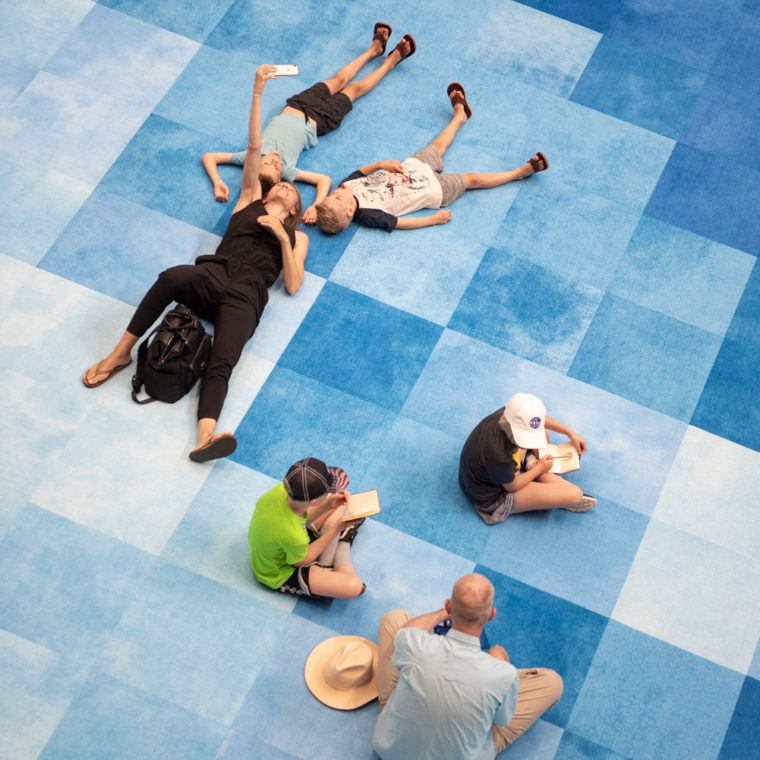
(341, 672)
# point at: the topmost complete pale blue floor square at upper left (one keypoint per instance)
(156, 57)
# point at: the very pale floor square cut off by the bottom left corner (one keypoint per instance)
(38, 688)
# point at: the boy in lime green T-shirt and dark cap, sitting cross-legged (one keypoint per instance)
(298, 540)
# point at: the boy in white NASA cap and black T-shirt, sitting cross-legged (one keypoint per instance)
(500, 477)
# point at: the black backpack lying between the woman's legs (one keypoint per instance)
(170, 363)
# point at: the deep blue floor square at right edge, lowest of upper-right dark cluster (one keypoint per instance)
(704, 193)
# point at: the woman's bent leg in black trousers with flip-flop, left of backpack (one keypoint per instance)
(185, 284)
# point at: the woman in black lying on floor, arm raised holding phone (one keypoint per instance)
(228, 288)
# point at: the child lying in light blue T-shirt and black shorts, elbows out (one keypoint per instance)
(310, 114)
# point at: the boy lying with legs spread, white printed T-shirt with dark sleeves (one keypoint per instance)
(378, 194)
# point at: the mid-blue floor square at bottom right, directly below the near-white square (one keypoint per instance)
(675, 687)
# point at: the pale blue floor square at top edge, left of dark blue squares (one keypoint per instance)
(510, 40)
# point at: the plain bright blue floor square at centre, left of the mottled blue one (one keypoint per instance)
(361, 346)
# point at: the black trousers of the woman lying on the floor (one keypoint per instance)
(207, 290)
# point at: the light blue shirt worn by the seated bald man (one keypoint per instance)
(449, 692)
